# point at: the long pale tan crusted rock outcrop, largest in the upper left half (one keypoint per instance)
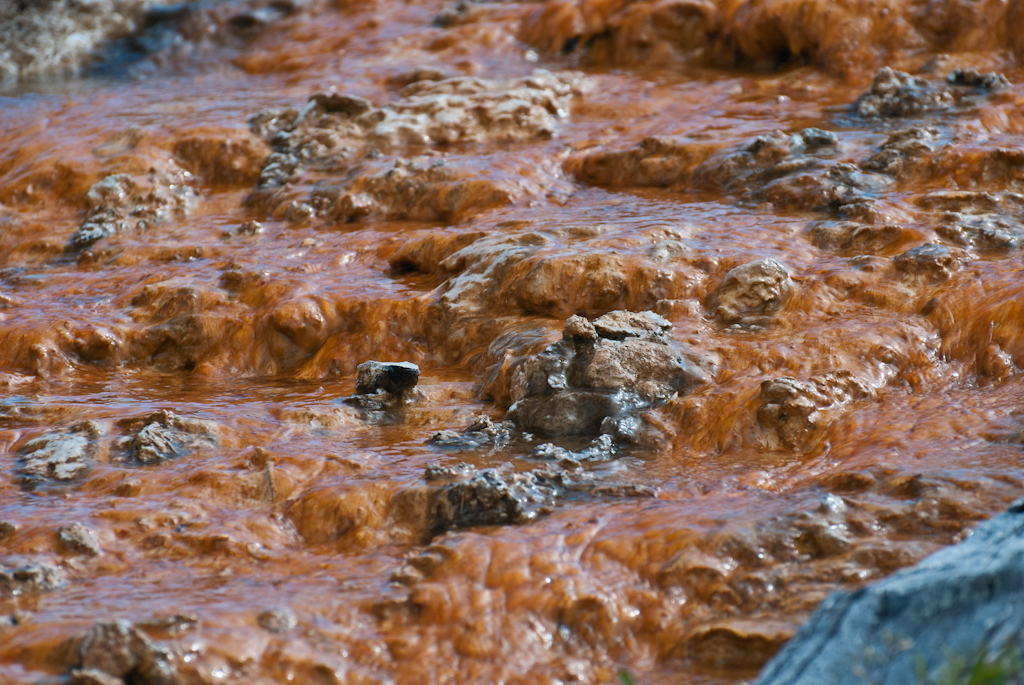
(345, 135)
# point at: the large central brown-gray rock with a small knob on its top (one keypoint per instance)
(601, 376)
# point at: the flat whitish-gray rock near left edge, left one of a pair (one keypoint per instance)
(61, 456)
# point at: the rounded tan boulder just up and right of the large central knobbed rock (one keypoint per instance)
(752, 294)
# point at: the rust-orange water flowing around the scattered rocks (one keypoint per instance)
(747, 535)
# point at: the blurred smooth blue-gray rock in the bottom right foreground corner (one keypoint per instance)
(961, 604)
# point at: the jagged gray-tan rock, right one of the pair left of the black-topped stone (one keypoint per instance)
(163, 436)
